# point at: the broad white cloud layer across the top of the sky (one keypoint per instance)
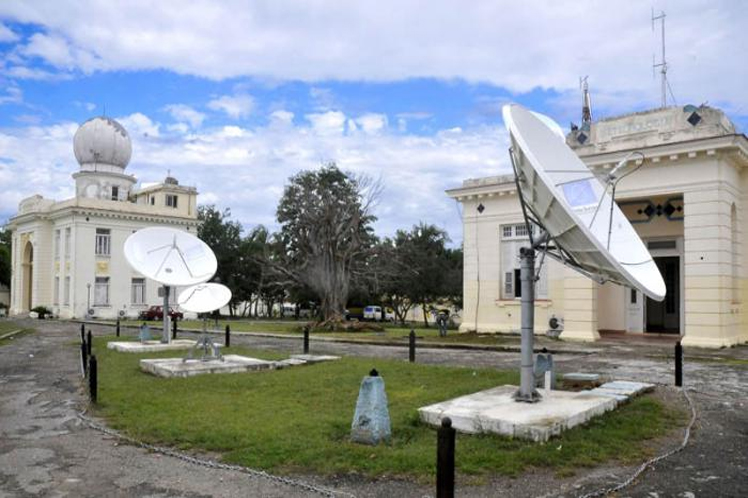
(517, 45)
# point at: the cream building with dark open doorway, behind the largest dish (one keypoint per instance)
(688, 202)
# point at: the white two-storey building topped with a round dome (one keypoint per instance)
(68, 256)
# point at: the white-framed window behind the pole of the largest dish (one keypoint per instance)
(510, 245)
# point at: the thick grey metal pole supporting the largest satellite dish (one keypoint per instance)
(527, 392)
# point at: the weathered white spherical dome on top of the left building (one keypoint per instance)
(102, 140)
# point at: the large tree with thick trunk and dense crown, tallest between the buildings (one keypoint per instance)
(326, 234)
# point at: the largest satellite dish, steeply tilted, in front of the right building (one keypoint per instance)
(586, 230)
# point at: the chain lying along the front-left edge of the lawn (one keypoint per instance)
(212, 464)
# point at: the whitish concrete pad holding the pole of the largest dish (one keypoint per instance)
(495, 411)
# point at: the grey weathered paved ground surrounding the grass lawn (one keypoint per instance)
(45, 450)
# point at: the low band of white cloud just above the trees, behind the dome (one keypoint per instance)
(229, 162)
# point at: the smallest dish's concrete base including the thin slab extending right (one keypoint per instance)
(177, 367)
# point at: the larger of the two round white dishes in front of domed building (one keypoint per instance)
(170, 257)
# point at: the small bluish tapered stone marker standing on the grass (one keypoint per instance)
(371, 422)
